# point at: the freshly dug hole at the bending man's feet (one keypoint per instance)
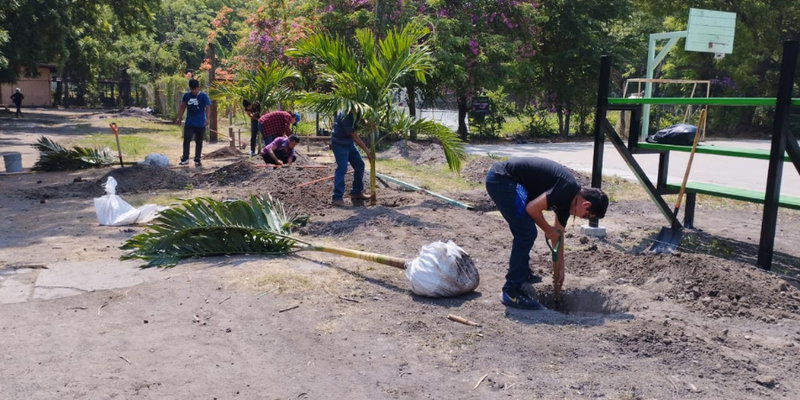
(584, 302)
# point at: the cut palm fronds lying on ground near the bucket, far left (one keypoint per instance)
(54, 157)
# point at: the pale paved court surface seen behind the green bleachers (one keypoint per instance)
(728, 171)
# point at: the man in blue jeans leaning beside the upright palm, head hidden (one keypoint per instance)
(343, 143)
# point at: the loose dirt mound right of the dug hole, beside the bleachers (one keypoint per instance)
(708, 285)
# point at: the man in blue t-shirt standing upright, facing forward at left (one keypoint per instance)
(198, 109)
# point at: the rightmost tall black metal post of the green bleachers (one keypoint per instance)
(783, 108)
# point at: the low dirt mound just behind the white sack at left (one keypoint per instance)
(145, 178)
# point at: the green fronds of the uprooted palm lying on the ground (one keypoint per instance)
(203, 227)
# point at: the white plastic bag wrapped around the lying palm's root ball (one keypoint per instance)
(442, 270)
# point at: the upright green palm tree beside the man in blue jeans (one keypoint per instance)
(364, 82)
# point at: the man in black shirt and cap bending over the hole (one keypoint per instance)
(523, 188)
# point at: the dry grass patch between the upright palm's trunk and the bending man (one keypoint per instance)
(436, 178)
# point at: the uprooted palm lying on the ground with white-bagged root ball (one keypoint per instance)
(204, 227)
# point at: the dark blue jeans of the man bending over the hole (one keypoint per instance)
(503, 191)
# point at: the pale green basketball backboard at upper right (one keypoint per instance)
(710, 31)
